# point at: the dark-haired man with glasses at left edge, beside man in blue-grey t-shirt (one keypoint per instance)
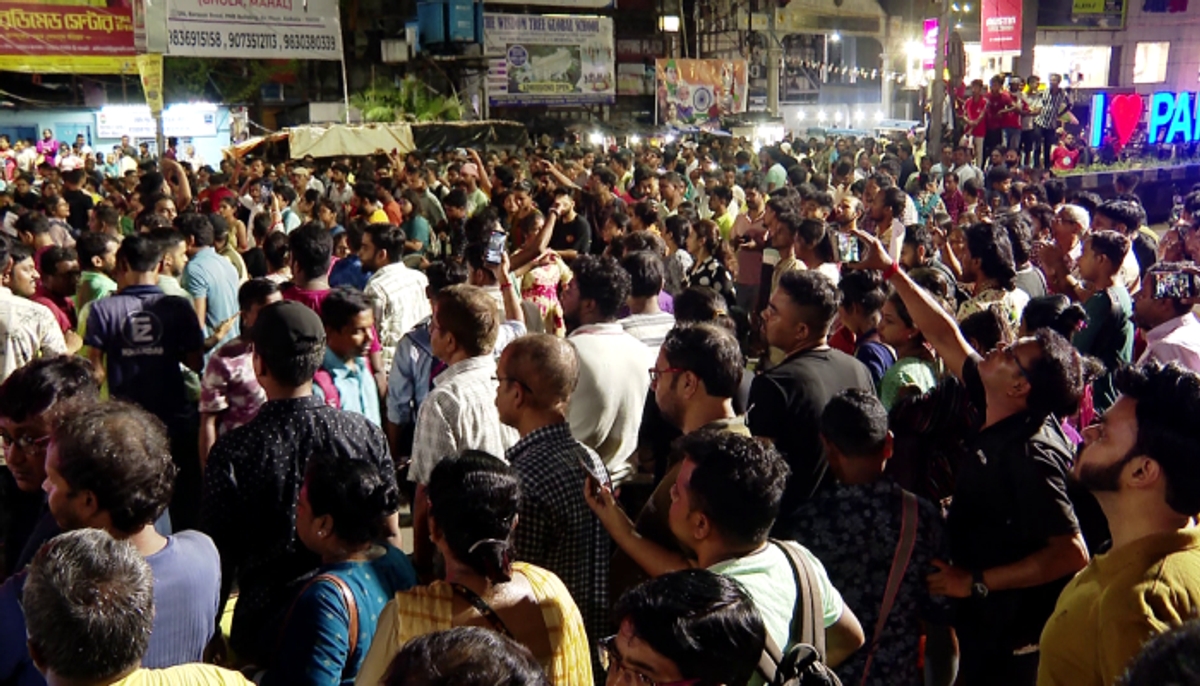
(27, 402)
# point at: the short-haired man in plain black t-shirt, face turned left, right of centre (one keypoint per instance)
(788, 400)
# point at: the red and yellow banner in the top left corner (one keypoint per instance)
(68, 37)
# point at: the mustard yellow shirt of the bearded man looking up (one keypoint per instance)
(1118, 604)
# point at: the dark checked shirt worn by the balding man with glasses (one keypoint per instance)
(556, 529)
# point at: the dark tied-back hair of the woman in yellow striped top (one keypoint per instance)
(475, 498)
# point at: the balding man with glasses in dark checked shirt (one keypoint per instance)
(537, 376)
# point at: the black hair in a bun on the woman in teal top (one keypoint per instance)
(355, 494)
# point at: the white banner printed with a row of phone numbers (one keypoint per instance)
(255, 29)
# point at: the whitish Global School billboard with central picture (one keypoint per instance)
(550, 61)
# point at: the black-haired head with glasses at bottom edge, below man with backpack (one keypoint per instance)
(687, 628)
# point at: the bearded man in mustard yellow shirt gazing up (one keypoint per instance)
(1141, 464)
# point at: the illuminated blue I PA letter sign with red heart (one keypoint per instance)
(1173, 118)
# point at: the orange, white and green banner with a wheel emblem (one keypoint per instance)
(699, 93)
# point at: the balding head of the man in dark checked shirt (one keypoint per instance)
(548, 365)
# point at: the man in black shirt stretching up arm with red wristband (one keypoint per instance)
(1013, 534)
